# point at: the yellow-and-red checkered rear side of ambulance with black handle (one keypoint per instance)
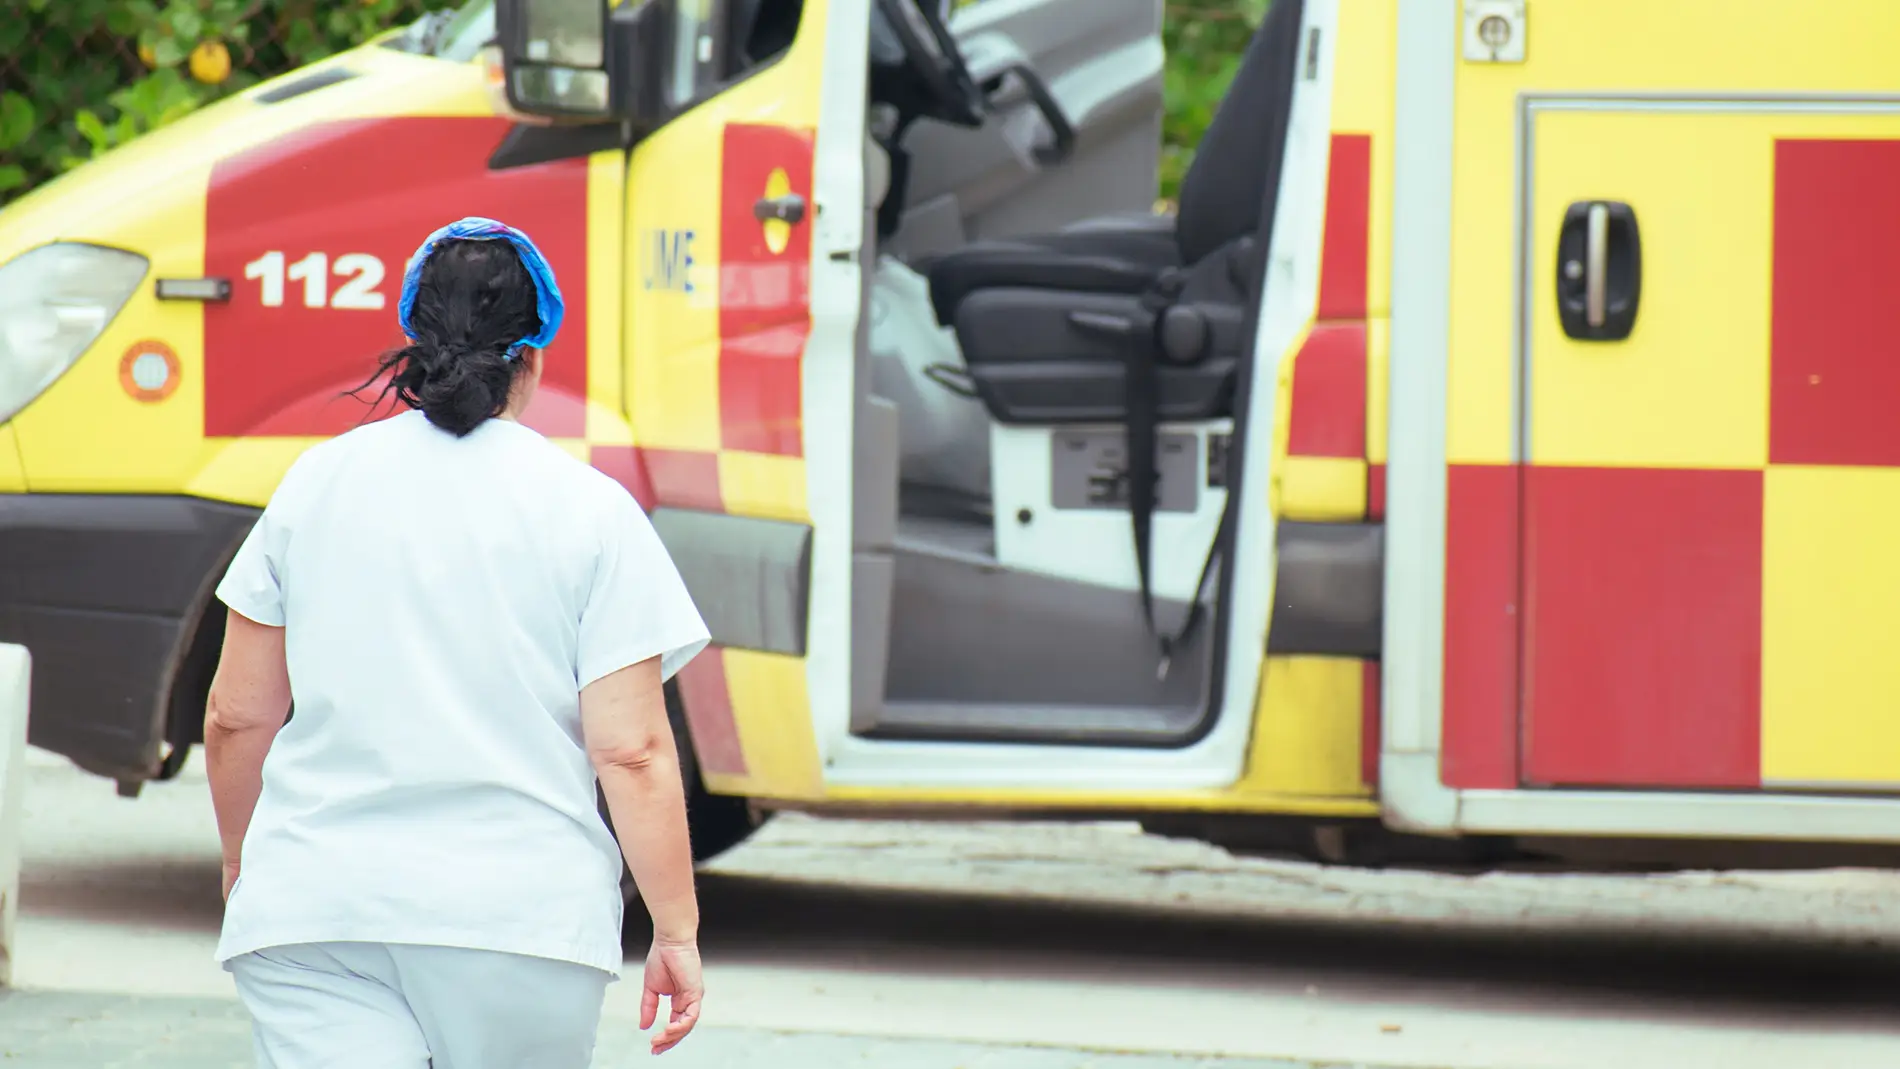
(1675, 457)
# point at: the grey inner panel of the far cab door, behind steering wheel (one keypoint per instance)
(1103, 62)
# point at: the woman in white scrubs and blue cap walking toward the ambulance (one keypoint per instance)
(474, 629)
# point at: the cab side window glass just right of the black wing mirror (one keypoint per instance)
(717, 43)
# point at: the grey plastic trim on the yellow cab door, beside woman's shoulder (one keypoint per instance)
(750, 578)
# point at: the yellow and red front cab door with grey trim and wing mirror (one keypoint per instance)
(738, 318)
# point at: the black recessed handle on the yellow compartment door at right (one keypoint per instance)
(1599, 271)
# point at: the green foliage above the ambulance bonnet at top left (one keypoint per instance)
(83, 77)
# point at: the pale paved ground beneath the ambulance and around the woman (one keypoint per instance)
(959, 947)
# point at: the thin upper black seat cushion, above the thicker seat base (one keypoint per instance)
(1107, 259)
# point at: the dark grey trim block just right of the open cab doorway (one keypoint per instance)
(1329, 590)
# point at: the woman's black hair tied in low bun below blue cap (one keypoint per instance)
(474, 303)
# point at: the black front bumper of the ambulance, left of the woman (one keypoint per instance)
(107, 591)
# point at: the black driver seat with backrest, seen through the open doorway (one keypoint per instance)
(1046, 324)
